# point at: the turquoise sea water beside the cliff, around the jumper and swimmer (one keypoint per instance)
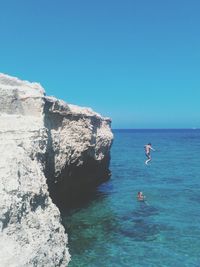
(114, 229)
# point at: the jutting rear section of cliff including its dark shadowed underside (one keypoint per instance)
(78, 150)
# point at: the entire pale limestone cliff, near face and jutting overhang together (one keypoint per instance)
(48, 149)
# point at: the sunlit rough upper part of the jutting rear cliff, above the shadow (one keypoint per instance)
(76, 133)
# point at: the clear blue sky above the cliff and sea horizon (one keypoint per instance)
(137, 61)
